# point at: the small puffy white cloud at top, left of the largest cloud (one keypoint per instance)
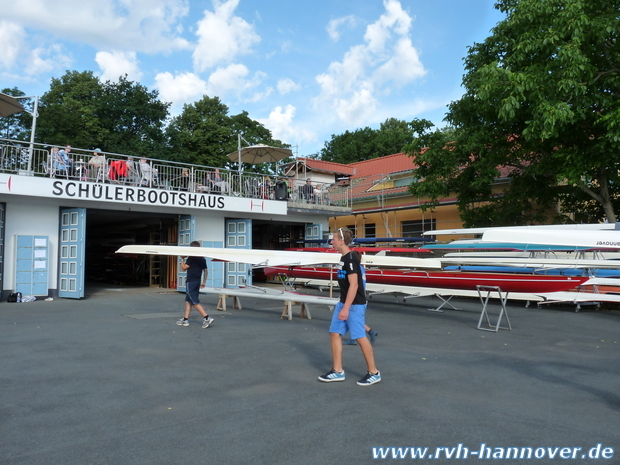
(222, 37)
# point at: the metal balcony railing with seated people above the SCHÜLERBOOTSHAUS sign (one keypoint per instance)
(17, 157)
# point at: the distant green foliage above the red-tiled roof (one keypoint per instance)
(367, 143)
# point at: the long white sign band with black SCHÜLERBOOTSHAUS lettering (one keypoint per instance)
(134, 195)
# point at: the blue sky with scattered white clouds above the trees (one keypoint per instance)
(305, 69)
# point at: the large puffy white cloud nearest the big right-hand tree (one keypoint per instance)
(351, 87)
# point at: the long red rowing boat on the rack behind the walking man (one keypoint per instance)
(507, 282)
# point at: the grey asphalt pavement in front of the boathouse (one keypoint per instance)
(112, 379)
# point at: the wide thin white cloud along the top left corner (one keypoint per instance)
(141, 25)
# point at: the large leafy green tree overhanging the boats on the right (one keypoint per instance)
(541, 107)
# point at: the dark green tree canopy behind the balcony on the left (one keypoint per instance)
(125, 117)
